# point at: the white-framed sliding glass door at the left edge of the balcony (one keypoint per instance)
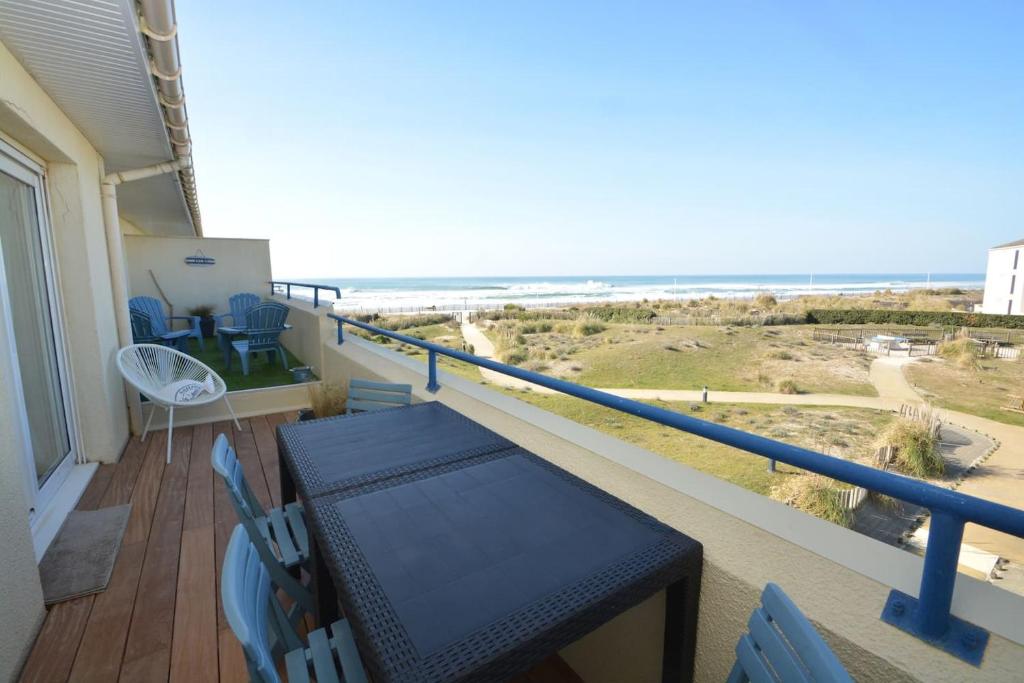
(30, 314)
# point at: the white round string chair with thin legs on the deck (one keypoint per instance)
(168, 378)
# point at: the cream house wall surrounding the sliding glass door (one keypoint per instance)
(31, 122)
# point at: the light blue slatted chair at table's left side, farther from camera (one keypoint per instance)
(280, 537)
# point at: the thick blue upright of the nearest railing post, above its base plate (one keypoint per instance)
(942, 558)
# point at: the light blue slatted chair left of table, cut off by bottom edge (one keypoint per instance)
(261, 624)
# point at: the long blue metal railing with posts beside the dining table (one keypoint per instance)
(927, 617)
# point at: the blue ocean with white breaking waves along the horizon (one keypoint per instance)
(450, 293)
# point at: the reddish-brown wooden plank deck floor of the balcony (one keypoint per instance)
(160, 619)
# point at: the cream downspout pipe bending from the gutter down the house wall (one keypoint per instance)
(116, 257)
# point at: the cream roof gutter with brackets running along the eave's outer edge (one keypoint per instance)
(158, 24)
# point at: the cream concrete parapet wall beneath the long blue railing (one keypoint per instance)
(839, 578)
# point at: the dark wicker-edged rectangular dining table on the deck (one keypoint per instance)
(459, 557)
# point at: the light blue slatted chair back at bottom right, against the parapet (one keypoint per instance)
(783, 646)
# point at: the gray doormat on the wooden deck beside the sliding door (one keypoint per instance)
(81, 559)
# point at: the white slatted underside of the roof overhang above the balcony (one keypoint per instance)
(91, 59)
